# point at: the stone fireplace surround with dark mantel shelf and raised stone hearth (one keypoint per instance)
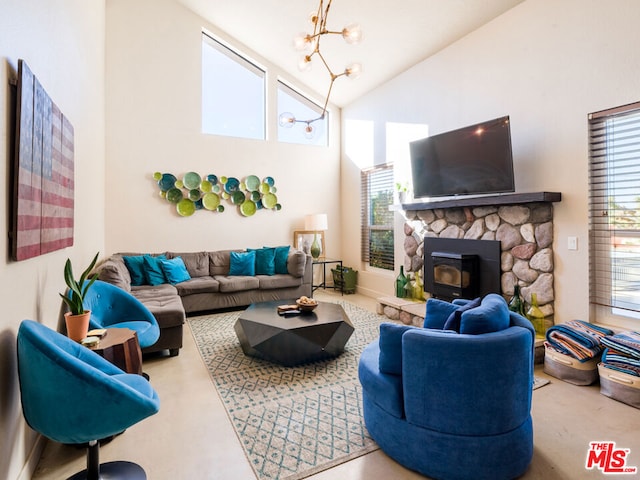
(523, 223)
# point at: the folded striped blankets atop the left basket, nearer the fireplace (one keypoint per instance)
(578, 339)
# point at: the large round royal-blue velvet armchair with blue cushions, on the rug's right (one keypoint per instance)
(453, 404)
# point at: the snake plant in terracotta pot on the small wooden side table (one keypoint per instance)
(77, 318)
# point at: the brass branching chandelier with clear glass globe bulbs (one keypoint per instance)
(352, 34)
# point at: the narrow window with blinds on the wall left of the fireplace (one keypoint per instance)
(377, 220)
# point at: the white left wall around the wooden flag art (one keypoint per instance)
(62, 41)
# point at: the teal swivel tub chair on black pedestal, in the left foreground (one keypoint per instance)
(72, 395)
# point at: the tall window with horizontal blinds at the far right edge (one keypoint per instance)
(614, 180)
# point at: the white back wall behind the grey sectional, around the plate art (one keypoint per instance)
(153, 124)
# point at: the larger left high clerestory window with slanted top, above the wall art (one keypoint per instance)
(233, 92)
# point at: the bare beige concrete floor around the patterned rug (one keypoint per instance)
(192, 438)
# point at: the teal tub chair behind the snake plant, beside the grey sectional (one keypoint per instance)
(112, 307)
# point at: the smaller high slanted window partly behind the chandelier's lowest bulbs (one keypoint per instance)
(290, 100)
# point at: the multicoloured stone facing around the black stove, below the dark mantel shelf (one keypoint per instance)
(525, 232)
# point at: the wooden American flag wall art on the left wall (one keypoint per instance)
(43, 172)
